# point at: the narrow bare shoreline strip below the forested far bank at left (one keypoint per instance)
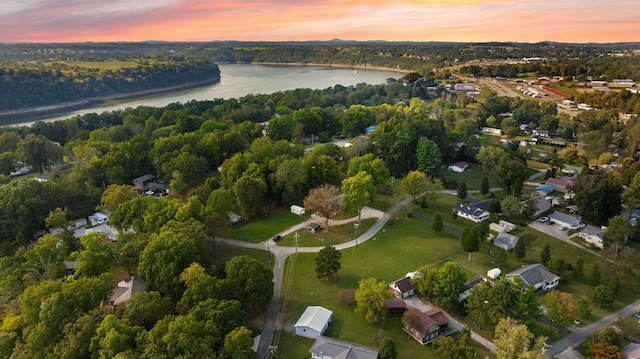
(91, 100)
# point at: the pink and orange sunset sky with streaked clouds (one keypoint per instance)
(282, 20)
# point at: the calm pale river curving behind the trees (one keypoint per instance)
(236, 81)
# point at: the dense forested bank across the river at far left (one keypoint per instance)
(33, 84)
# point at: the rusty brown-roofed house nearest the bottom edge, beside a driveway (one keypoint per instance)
(425, 327)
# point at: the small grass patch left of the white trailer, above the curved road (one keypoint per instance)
(260, 230)
